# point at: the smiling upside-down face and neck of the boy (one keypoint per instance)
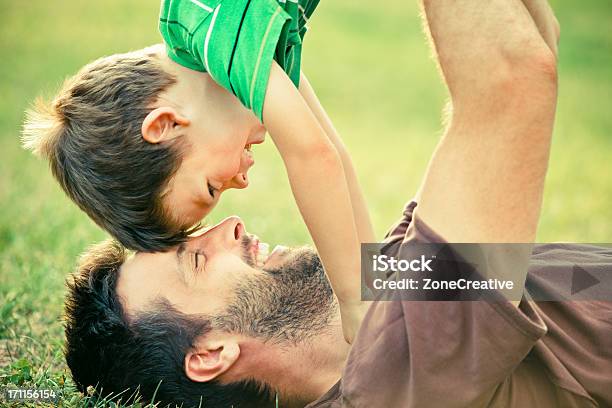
(219, 135)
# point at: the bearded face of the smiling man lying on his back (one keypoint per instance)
(227, 275)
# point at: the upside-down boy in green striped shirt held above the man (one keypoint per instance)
(145, 144)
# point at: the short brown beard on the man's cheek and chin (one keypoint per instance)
(292, 302)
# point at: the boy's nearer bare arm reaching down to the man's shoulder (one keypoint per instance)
(320, 189)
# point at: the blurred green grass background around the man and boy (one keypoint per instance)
(371, 67)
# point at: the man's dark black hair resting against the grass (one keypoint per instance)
(144, 353)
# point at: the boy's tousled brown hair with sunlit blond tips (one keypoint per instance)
(91, 136)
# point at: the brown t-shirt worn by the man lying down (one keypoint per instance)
(480, 354)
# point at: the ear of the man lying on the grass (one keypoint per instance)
(210, 359)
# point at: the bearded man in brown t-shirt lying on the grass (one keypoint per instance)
(218, 322)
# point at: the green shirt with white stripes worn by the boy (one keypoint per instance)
(235, 41)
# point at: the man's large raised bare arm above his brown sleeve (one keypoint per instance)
(485, 180)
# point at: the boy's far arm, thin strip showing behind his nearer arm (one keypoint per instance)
(363, 221)
